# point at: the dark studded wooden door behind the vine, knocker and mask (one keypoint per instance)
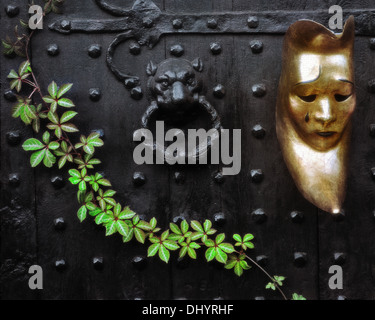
(292, 237)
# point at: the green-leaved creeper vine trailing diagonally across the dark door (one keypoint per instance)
(95, 195)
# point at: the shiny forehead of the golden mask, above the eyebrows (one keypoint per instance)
(309, 67)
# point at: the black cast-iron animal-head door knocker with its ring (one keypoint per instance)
(175, 89)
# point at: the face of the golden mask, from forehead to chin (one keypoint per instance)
(321, 97)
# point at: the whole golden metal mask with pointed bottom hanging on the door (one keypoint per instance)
(316, 99)
